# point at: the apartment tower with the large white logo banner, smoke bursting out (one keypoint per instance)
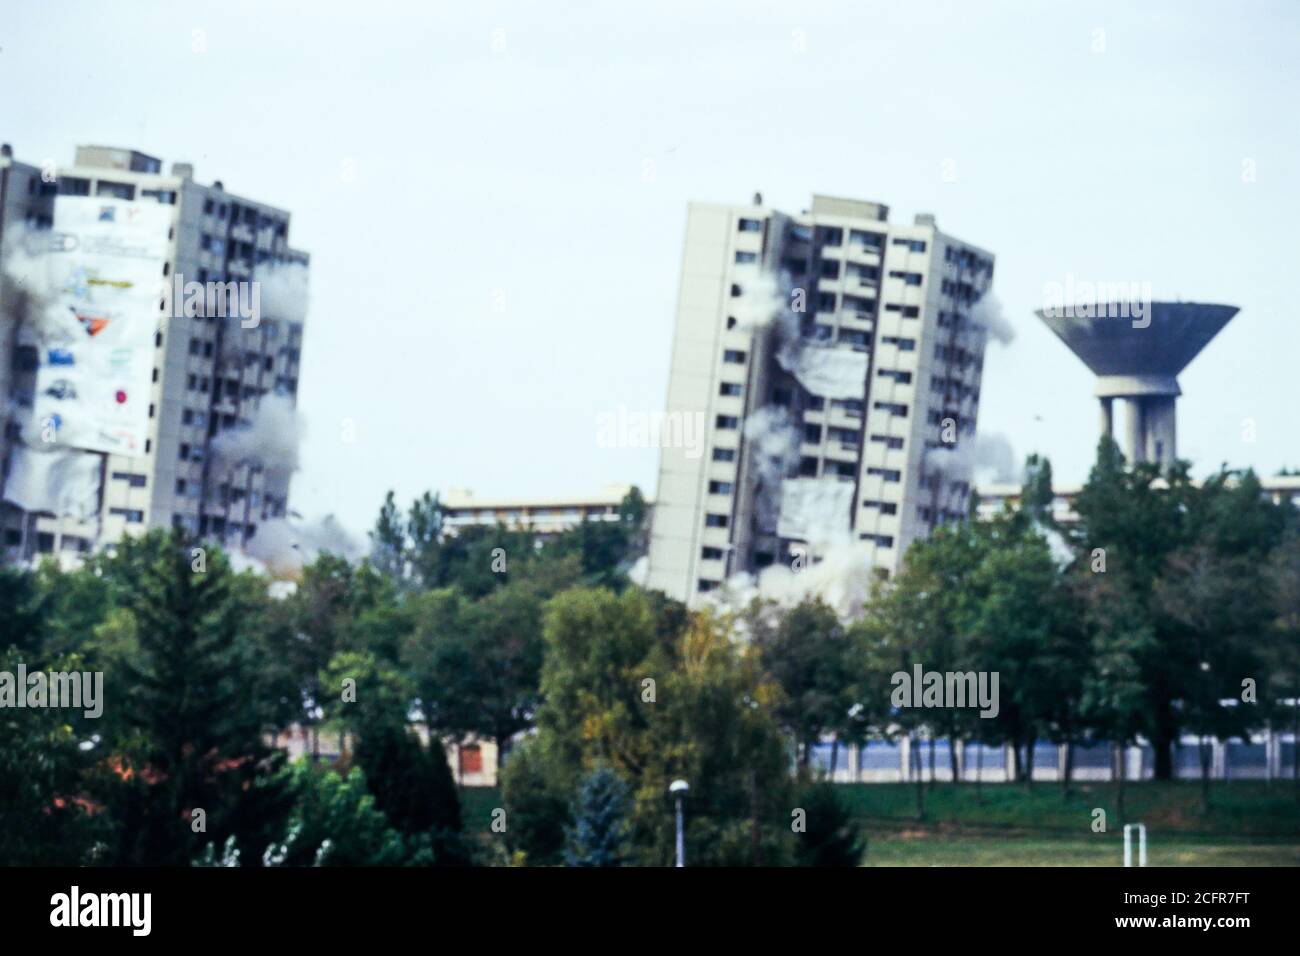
(68, 492)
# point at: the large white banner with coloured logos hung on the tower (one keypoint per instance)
(97, 336)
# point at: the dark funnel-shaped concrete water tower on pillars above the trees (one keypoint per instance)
(1138, 362)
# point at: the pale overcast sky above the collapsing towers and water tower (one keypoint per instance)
(495, 194)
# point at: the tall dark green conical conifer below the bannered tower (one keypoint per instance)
(198, 743)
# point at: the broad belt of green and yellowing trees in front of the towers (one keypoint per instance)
(1139, 620)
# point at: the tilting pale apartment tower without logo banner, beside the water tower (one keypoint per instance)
(835, 361)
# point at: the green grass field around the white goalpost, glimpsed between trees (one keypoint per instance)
(1250, 824)
